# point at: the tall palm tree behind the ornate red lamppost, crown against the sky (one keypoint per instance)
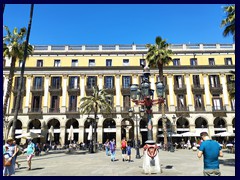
(158, 55)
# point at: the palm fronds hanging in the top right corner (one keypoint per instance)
(229, 21)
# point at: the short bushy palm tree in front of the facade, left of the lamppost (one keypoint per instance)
(95, 103)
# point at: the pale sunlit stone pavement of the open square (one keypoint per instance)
(179, 163)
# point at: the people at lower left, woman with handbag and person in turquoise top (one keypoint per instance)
(10, 152)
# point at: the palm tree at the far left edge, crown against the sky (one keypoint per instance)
(12, 48)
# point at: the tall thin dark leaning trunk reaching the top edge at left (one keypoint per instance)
(28, 49)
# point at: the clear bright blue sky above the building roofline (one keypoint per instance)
(72, 24)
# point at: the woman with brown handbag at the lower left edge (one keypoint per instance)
(9, 155)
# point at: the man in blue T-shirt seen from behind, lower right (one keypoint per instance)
(210, 150)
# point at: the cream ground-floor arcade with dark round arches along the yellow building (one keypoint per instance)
(119, 127)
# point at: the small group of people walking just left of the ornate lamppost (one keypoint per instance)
(110, 148)
